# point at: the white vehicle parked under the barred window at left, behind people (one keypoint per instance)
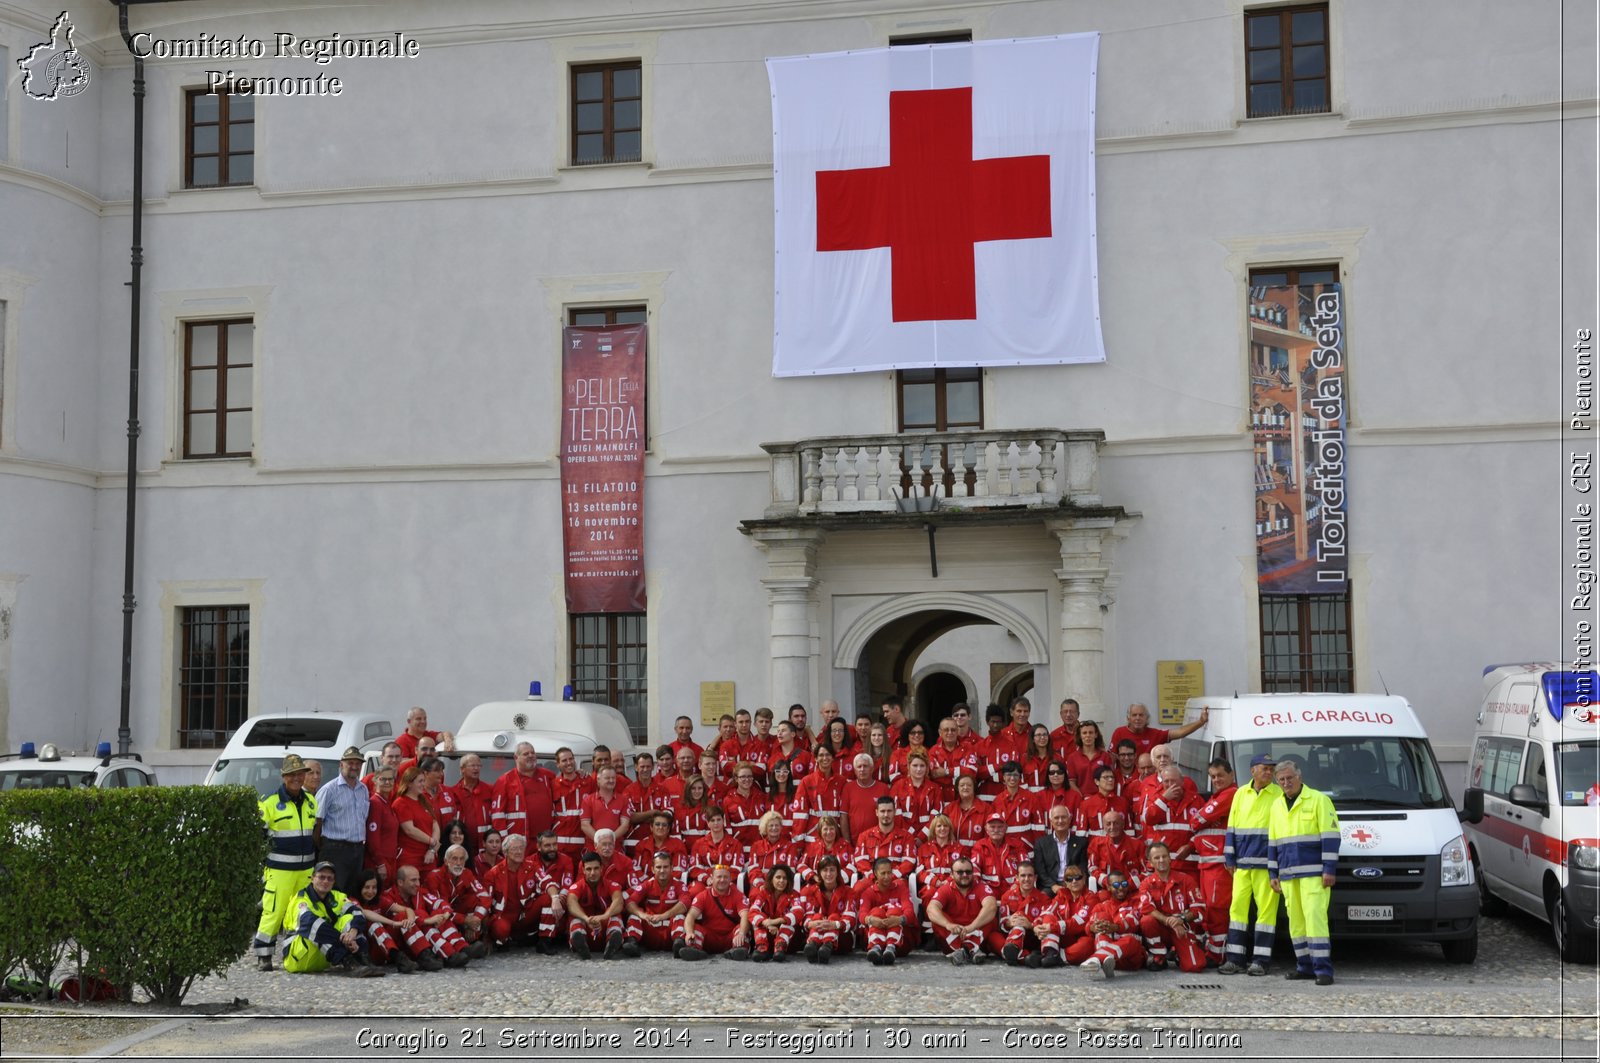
(255, 755)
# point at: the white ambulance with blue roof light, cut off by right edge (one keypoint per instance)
(1534, 800)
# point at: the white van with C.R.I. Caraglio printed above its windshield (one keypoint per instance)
(1404, 868)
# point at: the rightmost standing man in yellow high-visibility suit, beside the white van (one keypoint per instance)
(1303, 856)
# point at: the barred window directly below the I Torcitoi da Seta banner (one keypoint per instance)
(1306, 644)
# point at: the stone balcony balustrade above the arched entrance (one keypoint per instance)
(966, 471)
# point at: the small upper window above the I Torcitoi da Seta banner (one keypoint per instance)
(1287, 62)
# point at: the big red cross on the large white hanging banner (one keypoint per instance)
(932, 204)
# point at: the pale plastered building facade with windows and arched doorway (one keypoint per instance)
(351, 321)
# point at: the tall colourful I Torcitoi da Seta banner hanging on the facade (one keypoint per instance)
(1298, 420)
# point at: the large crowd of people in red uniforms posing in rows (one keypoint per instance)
(1030, 844)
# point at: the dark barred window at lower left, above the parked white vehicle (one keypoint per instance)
(214, 681)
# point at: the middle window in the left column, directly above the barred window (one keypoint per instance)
(218, 383)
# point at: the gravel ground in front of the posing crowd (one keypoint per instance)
(1519, 989)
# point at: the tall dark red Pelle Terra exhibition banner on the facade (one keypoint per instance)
(604, 468)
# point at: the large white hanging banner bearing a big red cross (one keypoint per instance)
(935, 207)
